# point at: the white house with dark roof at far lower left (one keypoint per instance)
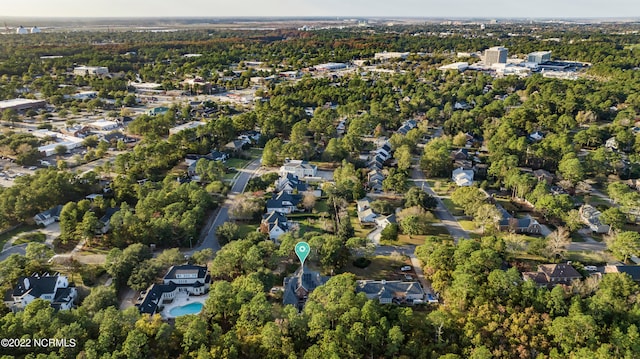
(52, 288)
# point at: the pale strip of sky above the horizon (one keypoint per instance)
(325, 8)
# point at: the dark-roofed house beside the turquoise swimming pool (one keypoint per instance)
(187, 278)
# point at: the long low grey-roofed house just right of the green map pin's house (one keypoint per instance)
(387, 292)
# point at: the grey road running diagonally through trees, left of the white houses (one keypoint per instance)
(221, 215)
